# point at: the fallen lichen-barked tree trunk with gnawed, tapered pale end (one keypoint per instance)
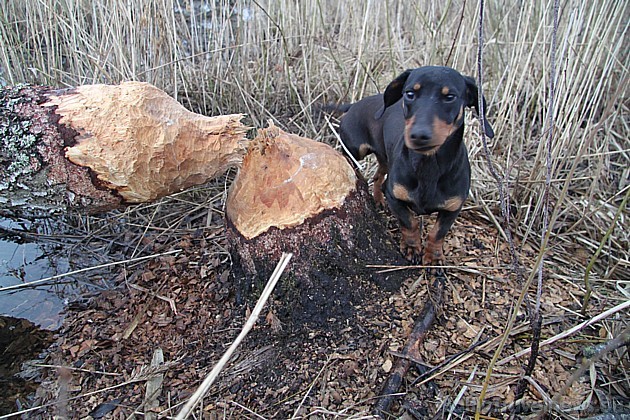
(96, 147)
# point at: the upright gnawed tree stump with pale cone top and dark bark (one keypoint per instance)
(296, 195)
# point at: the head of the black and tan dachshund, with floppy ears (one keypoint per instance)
(433, 102)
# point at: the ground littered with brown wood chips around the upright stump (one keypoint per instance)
(185, 304)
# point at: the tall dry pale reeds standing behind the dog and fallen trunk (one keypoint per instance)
(276, 59)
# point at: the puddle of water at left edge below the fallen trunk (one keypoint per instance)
(34, 291)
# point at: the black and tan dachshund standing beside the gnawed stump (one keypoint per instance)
(416, 129)
